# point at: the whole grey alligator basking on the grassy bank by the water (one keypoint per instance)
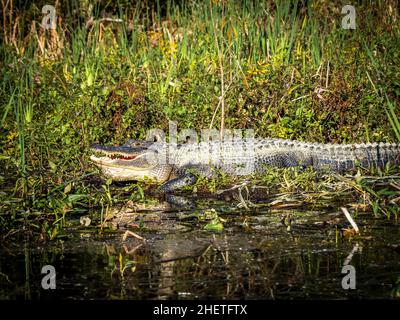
(179, 165)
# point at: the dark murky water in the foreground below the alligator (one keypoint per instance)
(254, 257)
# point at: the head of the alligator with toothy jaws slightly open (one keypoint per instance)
(135, 160)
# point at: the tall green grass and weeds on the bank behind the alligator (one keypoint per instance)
(284, 69)
